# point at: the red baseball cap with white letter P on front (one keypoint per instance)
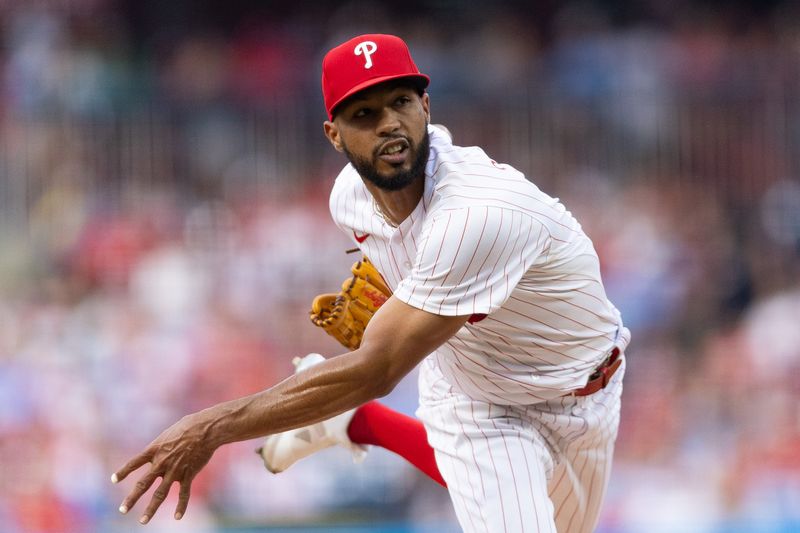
(365, 61)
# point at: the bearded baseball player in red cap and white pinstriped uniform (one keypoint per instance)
(485, 280)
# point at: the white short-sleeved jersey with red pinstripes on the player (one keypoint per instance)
(484, 240)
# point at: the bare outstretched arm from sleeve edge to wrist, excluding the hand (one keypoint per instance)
(338, 384)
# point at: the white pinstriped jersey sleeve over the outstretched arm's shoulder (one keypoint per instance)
(470, 259)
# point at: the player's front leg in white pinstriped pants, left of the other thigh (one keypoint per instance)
(495, 463)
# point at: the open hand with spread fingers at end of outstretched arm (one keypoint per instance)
(178, 454)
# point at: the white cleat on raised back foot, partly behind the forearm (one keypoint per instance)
(282, 450)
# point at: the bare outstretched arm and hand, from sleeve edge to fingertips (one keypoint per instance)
(397, 339)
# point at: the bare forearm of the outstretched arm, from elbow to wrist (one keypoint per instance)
(315, 394)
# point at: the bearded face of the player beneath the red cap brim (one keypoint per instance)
(383, 132)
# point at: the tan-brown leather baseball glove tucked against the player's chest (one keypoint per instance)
(345, 316)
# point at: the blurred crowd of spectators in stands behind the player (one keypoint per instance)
(164, 226)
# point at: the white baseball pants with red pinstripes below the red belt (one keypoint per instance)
(540, 468)
